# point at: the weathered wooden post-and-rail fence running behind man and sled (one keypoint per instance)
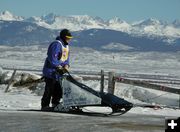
(113, 77)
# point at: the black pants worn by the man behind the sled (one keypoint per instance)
(53, 89)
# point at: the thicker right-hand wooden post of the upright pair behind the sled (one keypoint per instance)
(111, 82)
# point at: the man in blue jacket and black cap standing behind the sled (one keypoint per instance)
(57, 60)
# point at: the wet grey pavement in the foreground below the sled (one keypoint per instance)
(25, 121)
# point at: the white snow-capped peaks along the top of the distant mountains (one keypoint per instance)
(148, 27)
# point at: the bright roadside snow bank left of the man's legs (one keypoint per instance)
(18, 99)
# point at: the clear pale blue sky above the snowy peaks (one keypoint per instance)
(128, 10)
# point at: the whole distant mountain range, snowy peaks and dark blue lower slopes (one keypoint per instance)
(34, 30)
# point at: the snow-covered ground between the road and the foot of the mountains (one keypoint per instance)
(83, 59)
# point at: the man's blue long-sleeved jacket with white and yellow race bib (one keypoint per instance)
(53, 60)
